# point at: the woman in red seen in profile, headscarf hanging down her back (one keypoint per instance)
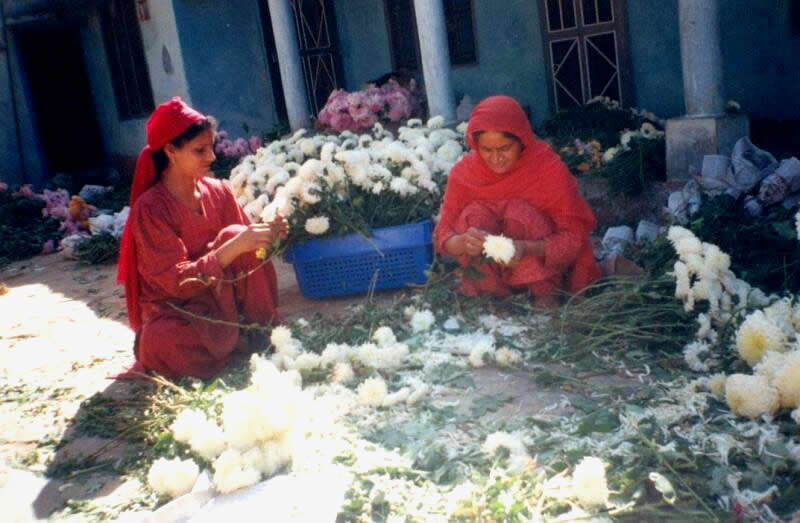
(185, 242)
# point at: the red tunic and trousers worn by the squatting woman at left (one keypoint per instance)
(173, 244)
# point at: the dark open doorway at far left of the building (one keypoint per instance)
(53, 62)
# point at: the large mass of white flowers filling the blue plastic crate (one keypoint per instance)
(329, 185)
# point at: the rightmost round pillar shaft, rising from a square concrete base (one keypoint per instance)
(701, 57)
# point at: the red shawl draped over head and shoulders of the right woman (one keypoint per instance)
(539, 177)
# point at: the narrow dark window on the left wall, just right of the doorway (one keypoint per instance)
(129, 74)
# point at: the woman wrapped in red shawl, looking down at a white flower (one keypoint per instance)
(513, 184)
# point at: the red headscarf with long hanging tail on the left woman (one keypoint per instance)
(167, 122)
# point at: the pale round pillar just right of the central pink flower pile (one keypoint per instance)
(435, 58)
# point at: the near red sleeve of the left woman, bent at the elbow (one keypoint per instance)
(162, 259)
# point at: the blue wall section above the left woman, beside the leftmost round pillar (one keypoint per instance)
(226, 69)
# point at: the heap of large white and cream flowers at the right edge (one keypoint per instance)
(766, 337)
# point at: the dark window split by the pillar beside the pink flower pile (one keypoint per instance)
(404, 40)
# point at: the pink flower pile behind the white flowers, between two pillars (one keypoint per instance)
(362, 109)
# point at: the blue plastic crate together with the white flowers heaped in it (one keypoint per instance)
(359, 206)
